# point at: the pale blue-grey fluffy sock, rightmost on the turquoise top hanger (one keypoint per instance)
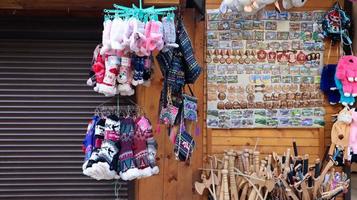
(169, 30)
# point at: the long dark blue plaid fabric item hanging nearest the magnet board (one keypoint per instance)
(192, 69)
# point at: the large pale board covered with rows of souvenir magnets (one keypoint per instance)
(264, 70)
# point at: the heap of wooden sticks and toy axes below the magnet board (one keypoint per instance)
(243, 175)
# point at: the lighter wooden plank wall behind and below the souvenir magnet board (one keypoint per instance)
(311, 141)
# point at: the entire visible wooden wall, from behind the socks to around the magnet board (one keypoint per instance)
(175, 181)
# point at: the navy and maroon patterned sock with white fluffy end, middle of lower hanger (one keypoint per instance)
(127, 168)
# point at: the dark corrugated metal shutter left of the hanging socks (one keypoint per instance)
(44, 109)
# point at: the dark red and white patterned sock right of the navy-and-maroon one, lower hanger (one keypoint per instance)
(140, 149)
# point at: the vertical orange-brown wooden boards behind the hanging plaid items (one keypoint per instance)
(175, 181)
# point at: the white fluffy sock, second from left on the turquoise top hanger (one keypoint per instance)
(116, 34)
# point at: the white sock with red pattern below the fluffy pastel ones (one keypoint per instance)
(125, 77)
